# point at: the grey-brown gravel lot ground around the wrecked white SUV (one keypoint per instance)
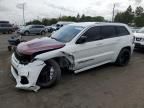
(107, 86)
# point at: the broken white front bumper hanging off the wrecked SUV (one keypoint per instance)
(26, 75)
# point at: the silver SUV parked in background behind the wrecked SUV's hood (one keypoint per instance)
(32, 29)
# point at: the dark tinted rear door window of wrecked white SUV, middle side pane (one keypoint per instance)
(108, 31)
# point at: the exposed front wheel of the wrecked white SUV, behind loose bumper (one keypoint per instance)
(44, 79)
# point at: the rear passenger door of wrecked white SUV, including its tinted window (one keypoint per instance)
(110, 41)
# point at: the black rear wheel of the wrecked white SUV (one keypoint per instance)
(123, 57)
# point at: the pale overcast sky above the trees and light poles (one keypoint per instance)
(38, 9)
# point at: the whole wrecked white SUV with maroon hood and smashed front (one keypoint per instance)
(77, 47)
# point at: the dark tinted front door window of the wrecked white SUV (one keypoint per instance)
(93, 34)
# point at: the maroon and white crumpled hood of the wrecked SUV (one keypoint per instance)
(39, 44)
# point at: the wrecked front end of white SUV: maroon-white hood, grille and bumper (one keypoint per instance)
(25, 67)
